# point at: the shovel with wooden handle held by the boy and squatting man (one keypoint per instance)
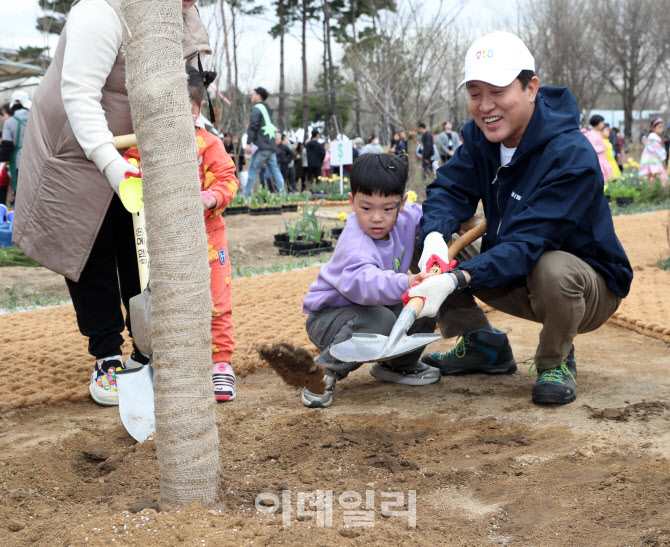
(365, 347)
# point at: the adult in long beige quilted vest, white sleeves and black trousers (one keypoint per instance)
(69, 217)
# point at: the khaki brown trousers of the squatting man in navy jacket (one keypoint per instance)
(563, 293)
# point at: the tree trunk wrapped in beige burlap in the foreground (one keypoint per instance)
(186, 435)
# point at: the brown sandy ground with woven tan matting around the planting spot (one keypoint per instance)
(487, 466)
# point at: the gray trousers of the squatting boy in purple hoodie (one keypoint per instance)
(330, 326)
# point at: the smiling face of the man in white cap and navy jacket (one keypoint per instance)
(502, 113)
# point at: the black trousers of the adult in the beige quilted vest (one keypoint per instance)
(109, 277)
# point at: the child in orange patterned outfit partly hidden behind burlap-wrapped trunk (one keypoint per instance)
(219, 186)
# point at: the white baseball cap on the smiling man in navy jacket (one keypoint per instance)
(497, 59)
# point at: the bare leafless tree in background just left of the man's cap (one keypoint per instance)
(402, 61)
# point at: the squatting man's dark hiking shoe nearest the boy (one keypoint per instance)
(478, 351)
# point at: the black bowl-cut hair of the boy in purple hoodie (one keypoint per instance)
(383, 174)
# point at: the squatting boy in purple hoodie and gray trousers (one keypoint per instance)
(360, 289)
